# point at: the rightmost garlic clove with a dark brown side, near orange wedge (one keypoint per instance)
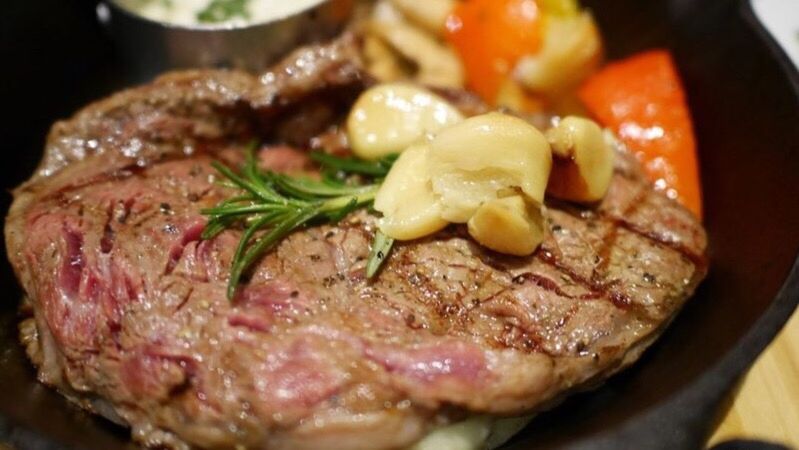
(583, 164)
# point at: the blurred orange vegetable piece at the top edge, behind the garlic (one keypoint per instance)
(490, 36)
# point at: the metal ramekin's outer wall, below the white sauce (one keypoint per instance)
(151, 47)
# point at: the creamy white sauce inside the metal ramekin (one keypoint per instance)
(185, 12)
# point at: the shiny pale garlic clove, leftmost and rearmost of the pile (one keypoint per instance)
(389, 117)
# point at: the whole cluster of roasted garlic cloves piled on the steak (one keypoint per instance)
(490, 171)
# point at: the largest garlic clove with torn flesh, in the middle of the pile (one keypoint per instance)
(472, 160)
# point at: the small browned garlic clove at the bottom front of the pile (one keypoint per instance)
(508, 225)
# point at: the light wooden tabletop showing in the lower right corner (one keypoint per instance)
(766, 404)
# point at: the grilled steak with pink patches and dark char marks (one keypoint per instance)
(130, 317)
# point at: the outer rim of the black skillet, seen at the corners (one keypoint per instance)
(684, 420)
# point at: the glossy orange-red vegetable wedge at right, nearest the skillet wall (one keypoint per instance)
(642, 99)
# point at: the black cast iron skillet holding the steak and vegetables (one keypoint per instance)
(745, 101)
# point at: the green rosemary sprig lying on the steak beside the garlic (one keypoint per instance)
(270, 206)
